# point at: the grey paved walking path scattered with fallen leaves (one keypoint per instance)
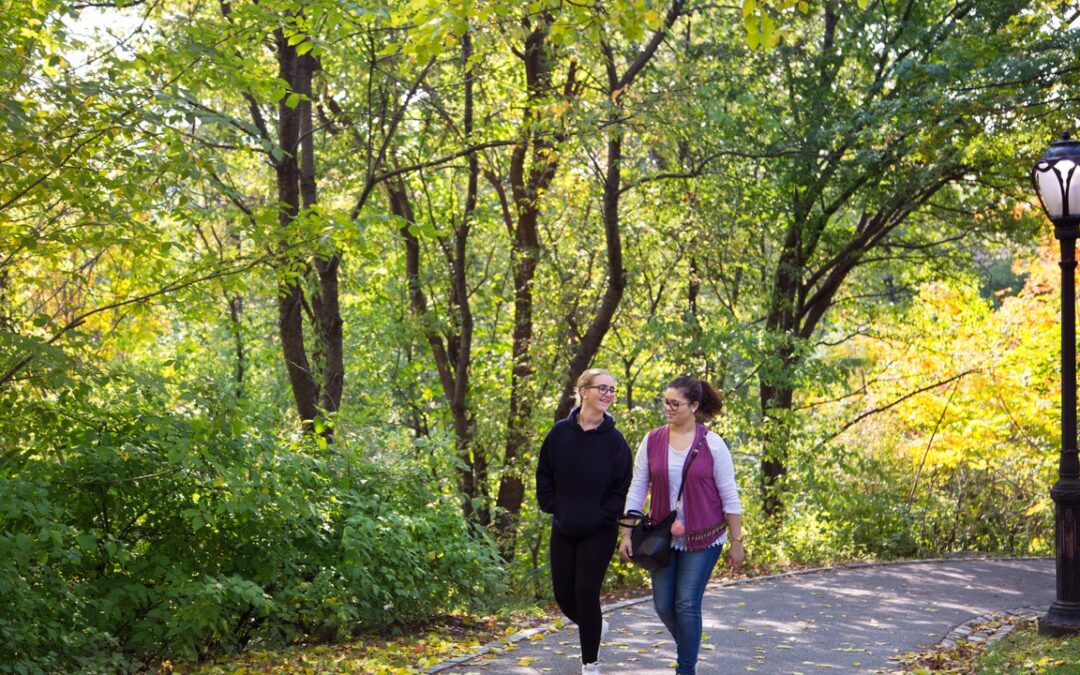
(839, 620)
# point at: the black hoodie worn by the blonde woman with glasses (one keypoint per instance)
(583, 477)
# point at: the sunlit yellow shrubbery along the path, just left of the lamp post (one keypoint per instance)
(954, 451)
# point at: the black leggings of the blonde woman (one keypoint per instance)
(578, 566)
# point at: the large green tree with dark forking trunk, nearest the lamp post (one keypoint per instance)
(895, 130)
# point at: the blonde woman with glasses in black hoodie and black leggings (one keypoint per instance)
(583, 477)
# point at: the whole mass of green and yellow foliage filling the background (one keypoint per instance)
(158, 499)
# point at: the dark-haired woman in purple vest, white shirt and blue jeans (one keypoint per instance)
(684, 451)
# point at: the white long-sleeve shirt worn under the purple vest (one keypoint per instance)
(724, 477)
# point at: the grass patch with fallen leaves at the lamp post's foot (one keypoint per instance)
(1027, 653)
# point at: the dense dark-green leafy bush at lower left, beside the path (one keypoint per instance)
(136, 533)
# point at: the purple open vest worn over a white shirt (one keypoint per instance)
(703, 507)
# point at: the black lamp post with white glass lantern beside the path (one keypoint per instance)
(1057, 181)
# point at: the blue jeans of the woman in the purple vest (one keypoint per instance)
(677, 595)
